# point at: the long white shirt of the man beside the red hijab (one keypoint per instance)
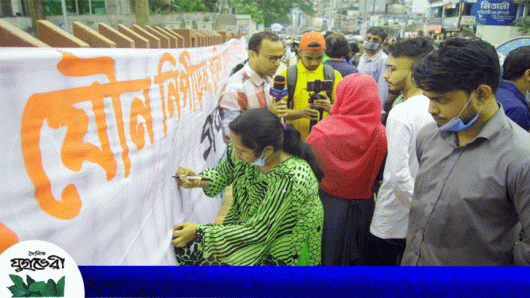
(395, 195)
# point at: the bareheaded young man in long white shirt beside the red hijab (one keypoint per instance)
(389, 223)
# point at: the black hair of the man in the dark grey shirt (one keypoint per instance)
(458, 64)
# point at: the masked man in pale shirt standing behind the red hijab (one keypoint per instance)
(372, 62)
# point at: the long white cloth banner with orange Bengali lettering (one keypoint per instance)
(91, 138)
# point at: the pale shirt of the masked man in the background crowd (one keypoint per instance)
(375, 67)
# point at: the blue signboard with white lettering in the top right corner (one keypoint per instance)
(494, 12)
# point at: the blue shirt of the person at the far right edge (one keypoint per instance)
(514, 104)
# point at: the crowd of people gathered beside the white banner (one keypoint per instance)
(414, 154)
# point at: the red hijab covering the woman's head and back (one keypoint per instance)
(351, 142)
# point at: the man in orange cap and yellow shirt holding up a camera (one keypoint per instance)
(302, 106)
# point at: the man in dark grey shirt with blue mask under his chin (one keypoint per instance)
(472, 185)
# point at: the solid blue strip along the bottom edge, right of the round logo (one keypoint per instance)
(131, 281)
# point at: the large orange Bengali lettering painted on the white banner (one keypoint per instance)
(184, 85)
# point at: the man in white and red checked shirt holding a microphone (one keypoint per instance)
(249, 87)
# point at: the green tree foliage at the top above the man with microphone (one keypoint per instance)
(271, 11)
